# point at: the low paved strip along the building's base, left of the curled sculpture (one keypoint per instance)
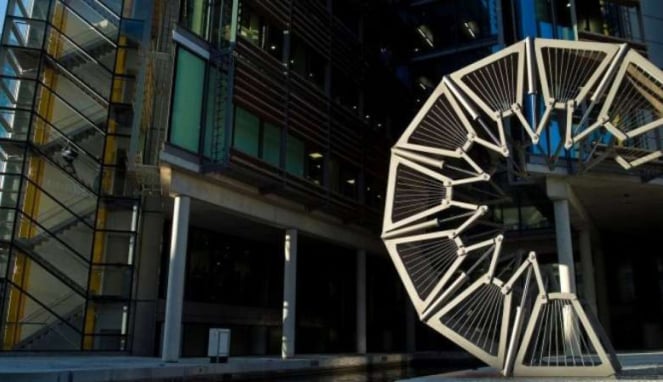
(85, 368)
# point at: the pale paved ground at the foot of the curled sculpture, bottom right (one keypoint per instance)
(635, 366)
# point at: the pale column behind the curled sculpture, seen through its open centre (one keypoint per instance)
(564, 246)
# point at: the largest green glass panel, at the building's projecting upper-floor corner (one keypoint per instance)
(187, 101)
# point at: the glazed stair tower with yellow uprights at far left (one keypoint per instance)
(68, 219)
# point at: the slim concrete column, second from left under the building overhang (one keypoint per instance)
(289, 294)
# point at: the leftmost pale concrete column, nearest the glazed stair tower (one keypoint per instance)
(175, 294)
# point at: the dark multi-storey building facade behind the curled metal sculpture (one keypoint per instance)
(171, 166)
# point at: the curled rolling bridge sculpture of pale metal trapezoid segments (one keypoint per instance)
(436, 226)
